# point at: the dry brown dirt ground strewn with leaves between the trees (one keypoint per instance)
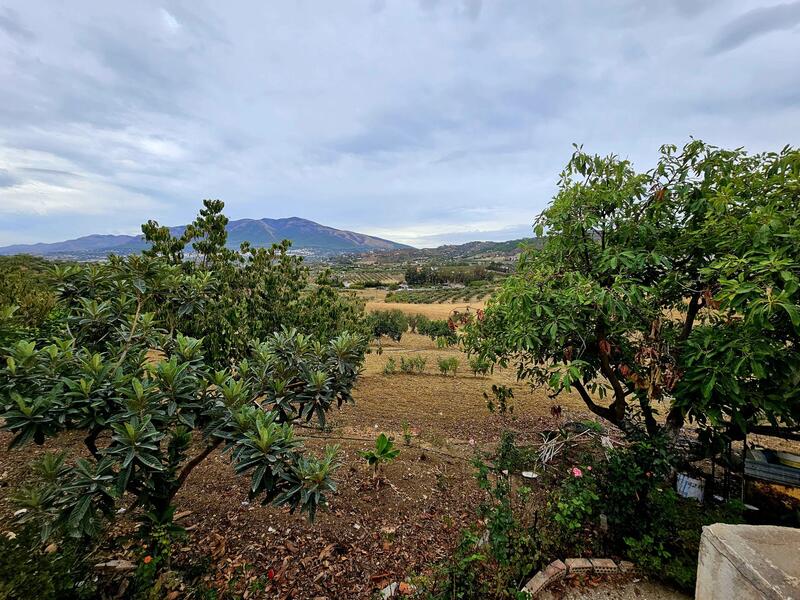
(369, 536)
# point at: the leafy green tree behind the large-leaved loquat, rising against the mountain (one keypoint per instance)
(253, 291)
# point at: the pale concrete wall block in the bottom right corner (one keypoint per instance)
(748, 562)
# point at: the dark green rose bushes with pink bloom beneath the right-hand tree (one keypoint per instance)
(646, 522)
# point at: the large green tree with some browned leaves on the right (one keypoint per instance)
(672, 292)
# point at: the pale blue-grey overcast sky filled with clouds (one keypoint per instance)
(425, 122)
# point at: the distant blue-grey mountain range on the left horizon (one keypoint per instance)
(307, 237)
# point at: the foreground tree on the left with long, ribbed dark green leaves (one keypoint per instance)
(121, 370)
